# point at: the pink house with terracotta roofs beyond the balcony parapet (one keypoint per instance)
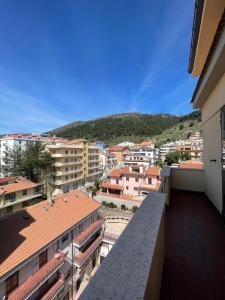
(132, 180)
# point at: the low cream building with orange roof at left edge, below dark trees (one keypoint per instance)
(17, 193)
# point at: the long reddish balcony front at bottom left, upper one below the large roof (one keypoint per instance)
(25, 290)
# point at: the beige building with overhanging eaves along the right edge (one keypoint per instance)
(207, 60)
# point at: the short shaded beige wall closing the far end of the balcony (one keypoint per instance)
(187, 179)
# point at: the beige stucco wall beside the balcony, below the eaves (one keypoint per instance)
(212, 143)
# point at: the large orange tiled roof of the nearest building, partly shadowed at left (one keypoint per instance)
(24, 233)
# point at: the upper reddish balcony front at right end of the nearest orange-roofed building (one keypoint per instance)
(86, 234)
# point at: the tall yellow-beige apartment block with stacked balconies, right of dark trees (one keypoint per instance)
(76, 163)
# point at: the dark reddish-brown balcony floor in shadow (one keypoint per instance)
(195, 249)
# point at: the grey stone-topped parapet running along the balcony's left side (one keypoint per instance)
(133, 269)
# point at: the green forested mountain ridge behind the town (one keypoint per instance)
(116, 128)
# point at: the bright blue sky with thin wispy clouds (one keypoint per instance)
(63, 61)
